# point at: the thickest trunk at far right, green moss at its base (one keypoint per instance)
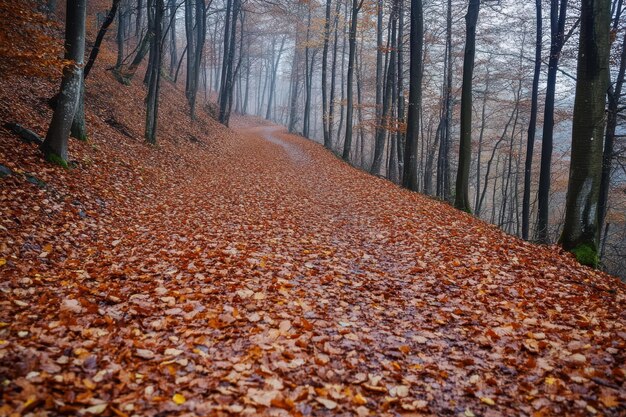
(581, 231)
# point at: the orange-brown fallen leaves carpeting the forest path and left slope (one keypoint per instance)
(253, 273)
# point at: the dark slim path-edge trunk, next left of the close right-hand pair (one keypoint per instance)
(461, 198)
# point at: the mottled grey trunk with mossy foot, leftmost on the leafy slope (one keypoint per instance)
(54, 146)
